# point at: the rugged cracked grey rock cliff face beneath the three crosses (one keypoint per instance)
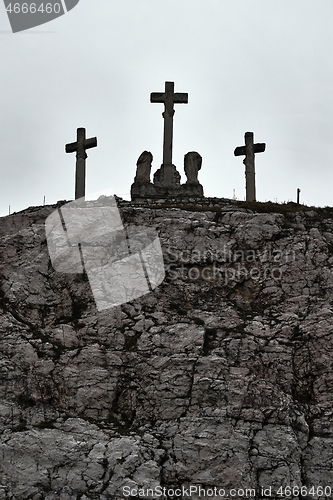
(219, 378)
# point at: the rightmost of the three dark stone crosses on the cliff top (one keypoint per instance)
(249, 151)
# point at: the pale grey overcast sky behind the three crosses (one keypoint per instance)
(247, 65)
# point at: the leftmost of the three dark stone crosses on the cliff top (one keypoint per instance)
(80, 147)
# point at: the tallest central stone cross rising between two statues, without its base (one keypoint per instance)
(169, 98)
